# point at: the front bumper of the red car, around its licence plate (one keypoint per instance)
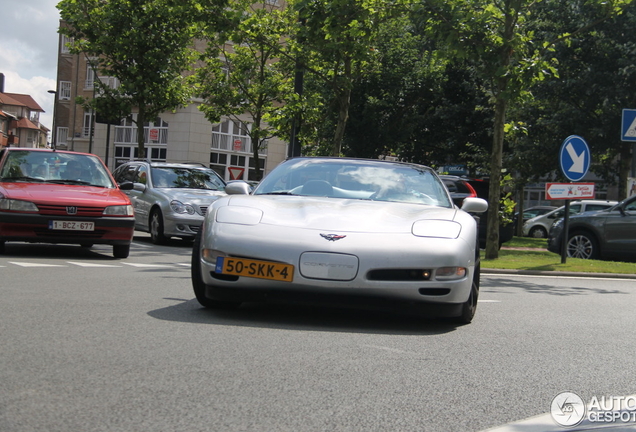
(35, 228)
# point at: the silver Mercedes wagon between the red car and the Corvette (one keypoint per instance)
(170, 199)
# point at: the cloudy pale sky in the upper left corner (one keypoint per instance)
(28, 50)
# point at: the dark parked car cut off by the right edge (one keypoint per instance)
(603, 234)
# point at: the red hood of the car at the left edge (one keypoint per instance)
(53, 193)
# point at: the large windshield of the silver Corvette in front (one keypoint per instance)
(344, 178)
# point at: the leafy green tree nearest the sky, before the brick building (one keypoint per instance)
(147, 45)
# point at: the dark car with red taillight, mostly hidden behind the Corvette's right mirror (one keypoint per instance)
(461, 188)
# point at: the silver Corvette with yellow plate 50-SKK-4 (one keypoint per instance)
(345, 231)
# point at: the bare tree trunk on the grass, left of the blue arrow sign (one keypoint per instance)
(494, 193)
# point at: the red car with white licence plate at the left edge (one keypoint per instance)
(51, 196)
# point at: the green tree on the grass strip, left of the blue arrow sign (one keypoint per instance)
(498, 39)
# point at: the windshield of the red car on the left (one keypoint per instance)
(55, 167)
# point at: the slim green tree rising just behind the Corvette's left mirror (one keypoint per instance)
(244, 76)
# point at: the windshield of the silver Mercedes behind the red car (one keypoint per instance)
(180, 177)
